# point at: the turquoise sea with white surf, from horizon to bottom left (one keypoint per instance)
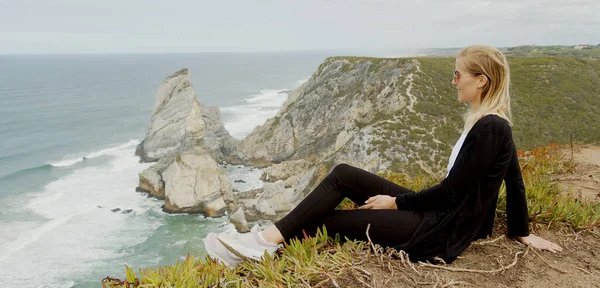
(56, 227)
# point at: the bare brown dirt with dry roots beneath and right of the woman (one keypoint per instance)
(515, 265)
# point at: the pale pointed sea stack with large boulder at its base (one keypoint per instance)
(186, 139)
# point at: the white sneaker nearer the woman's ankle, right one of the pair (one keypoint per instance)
(248, 246)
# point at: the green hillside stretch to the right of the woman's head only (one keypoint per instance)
(554, 99)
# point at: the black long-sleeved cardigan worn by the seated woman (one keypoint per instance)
(462, 207)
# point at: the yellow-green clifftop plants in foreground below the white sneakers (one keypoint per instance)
(310, 260)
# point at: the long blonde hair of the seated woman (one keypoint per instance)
(495, 97)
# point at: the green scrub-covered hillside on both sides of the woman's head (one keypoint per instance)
(553, 100)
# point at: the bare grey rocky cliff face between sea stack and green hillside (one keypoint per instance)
(330, 120)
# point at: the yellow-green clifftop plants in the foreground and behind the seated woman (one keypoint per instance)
(315, 260)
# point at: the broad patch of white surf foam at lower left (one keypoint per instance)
(78, 235)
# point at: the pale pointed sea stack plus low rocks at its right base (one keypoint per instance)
(187, 140)
